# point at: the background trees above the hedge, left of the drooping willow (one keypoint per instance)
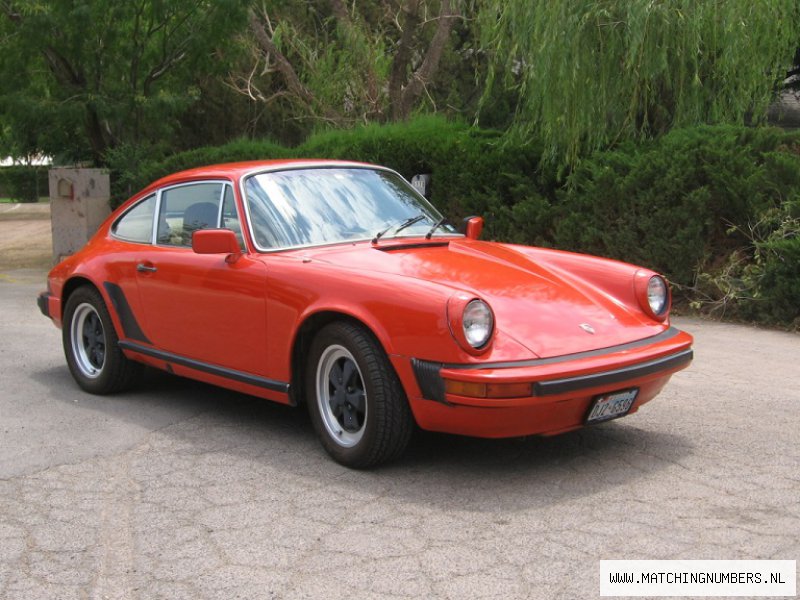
(96, 80)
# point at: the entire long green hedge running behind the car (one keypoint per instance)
(710, 207)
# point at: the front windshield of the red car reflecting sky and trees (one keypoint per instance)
(307, 207)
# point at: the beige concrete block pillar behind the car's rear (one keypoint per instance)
(78, 206)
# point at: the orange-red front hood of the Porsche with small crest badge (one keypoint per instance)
(549, 313)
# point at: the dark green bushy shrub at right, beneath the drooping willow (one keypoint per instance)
(699, 205)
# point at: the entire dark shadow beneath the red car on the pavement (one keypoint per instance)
(450, 471)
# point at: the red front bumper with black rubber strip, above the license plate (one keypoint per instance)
(561, 388)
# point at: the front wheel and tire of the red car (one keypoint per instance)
(356, 402)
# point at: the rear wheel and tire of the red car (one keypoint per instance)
(91, 345)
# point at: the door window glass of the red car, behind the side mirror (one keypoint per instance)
(187, 208)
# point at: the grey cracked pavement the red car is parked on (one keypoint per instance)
(182, 490)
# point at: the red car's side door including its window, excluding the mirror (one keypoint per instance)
(200, 306)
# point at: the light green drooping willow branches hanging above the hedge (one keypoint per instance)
(592, 72)
